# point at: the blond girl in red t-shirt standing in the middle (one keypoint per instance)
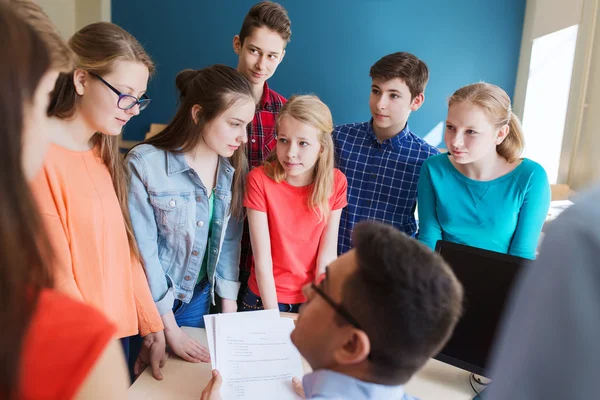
(294, 205)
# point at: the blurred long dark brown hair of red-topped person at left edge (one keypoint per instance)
(24, 249)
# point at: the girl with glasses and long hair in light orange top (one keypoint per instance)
(82, 190)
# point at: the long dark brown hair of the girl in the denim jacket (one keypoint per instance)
(214, 89)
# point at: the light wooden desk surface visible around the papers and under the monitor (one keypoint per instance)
(184, 380)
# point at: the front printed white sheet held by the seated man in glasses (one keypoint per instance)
(257, 359)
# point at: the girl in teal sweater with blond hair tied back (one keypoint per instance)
(481, 193)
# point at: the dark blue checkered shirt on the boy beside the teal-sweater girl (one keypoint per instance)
(382, 177)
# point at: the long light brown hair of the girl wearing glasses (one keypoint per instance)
(99, 47)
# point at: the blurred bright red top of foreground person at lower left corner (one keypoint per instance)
(63, 343)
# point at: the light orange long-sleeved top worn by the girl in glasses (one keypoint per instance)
(85, 224)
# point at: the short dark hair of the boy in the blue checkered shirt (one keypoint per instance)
(405, 66)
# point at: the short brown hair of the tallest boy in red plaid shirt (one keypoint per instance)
(270, 15)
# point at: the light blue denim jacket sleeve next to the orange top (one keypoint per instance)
(146, 235)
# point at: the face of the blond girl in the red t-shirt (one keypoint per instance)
(298, 150)
